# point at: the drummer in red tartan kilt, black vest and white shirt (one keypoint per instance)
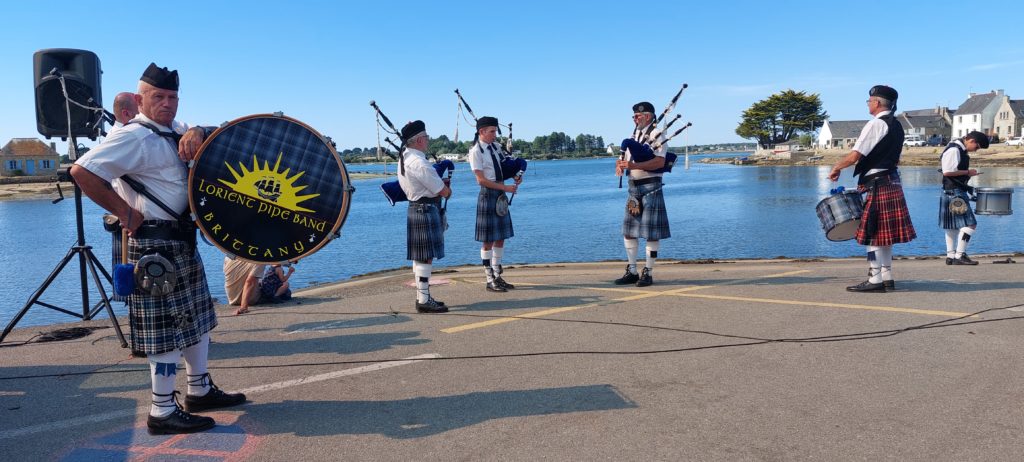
(886, 220)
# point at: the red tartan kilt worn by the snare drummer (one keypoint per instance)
(894, 226)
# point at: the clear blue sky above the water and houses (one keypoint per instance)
(570, 67)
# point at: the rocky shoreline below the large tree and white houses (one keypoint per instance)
(996, 156)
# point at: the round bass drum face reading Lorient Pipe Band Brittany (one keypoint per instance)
(269, 189)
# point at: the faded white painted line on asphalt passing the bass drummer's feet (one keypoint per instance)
(143, 410)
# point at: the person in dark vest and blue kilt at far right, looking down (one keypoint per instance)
(959, 223)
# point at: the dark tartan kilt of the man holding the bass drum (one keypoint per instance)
(177, 321)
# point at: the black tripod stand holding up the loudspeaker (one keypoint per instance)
(87, 262)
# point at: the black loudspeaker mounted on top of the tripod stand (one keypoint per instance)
(82, 76)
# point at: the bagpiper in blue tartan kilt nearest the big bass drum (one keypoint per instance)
(424, 226)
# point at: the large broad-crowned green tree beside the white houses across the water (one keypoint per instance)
(781, 117)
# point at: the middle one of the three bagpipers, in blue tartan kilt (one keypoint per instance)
(494, 224)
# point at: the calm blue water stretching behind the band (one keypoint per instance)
(568, 212)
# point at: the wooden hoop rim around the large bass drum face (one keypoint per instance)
(348, 189)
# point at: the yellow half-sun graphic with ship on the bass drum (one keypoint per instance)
(271, 185)
